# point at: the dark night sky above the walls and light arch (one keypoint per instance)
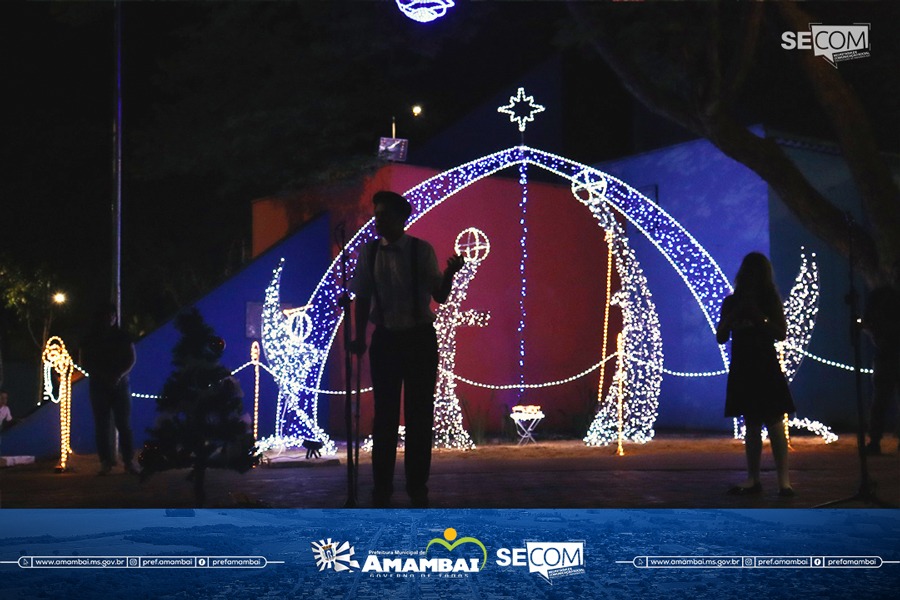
(57, 65)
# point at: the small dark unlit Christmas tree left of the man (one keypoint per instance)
(201, 423)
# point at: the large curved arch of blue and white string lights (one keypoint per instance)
(599, 191)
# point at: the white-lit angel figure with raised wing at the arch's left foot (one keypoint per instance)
(291, 359)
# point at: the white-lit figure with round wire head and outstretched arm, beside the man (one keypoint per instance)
(449, 432)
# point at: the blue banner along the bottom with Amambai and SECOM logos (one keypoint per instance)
(488, 554)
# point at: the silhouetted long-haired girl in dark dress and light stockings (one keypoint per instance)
(757, 389)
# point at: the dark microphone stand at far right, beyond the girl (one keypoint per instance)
(866, 492)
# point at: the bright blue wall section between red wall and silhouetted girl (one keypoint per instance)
(725, 207)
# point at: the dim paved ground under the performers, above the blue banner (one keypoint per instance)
(670, 472)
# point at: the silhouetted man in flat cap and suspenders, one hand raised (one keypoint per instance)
(395, 279)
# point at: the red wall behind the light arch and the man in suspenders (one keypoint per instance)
(566, 280)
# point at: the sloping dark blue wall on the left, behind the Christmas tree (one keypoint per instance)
(308, 254)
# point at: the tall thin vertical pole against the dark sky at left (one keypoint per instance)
(116, 294)
